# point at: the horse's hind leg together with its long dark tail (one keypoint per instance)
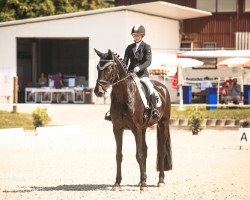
(164, 157)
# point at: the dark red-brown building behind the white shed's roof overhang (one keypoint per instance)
(227, 28)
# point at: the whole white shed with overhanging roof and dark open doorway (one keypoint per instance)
(65, 43)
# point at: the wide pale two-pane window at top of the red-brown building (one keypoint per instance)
(217, 5)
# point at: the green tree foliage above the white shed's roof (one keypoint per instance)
(23, 9)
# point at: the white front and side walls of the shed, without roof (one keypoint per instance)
(105, 31)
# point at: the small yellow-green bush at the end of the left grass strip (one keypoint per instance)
(40, 117)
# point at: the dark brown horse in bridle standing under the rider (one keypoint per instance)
(127, 113)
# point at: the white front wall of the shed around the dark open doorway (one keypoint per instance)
(98, 28)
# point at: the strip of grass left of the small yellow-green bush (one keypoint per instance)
(16, 120)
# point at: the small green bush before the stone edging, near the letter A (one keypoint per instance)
(195, 120)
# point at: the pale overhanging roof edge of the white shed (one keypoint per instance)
(158, 8)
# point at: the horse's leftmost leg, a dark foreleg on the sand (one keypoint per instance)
(118, 138)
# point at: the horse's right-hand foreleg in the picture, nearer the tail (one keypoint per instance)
(140, 157)
